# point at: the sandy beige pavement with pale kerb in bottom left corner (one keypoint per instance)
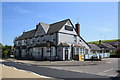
(12, 72)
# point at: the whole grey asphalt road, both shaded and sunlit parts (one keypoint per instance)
(63, 72)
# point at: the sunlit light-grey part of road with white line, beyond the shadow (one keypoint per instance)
(104, 69)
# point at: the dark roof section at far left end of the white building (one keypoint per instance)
(27, 34)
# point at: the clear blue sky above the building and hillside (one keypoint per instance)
(98, 20)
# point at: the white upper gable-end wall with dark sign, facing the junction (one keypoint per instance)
(71, 39)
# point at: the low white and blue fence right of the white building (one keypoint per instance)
(102, 55)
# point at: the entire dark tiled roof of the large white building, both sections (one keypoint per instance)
(52, 28)
